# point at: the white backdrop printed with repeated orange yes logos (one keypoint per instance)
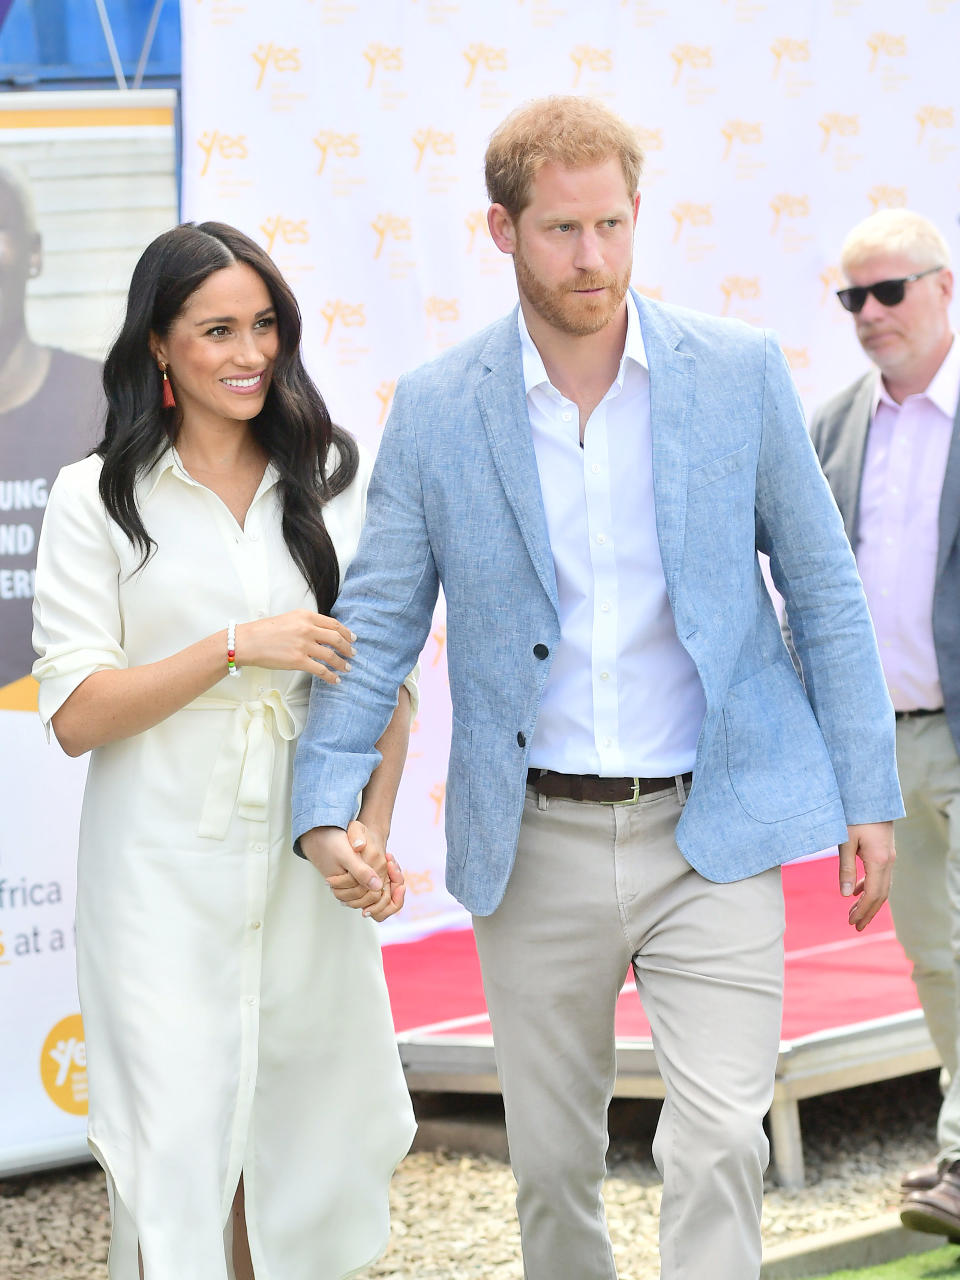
(348, 136)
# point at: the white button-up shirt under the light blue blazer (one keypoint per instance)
(623, 698)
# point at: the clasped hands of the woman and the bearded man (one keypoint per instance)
(358, 868)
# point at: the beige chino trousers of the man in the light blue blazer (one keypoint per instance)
(597, 889)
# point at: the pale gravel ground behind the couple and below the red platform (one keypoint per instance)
(454, 1214)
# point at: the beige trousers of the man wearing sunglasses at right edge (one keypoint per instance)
(925, 897)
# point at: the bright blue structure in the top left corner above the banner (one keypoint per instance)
(66, 44)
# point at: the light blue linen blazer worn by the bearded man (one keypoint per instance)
(455, 501)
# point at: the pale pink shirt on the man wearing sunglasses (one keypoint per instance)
(898, 529)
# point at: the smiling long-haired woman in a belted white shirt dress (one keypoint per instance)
(246, 1095)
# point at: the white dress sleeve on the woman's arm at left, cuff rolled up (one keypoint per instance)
(77, 624)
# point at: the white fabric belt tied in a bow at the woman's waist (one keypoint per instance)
(244, 770)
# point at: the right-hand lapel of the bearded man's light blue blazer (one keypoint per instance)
(673, 383)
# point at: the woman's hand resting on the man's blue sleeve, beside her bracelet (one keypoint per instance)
(296, 642)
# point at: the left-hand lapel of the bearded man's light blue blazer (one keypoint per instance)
(502, 404)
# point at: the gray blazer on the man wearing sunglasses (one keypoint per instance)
(839, 433)
